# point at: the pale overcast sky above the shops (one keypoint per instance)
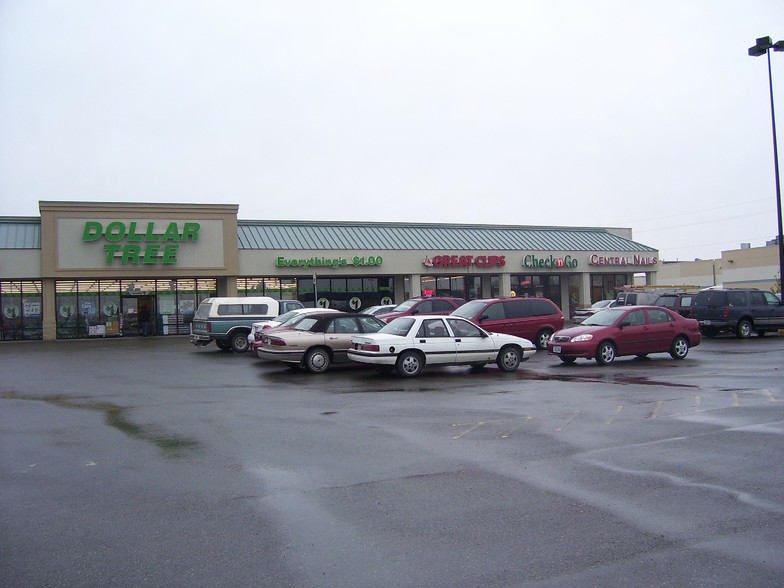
(642, 114)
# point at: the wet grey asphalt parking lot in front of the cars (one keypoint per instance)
(149, 462)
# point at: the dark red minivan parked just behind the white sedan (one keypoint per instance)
(535, 319)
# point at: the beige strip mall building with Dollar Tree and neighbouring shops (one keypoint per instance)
(84, 269)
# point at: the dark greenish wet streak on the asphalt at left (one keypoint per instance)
(173, 446)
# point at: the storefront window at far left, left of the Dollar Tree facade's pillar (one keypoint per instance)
(21, 310)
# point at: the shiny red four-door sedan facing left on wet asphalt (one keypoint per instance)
(625, 330)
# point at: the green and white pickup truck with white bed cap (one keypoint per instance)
(228, 321)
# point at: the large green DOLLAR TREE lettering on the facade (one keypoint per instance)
(137, 243)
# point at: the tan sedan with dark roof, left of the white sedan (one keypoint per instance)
(317, 340)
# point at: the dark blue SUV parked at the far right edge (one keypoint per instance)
(737, 310)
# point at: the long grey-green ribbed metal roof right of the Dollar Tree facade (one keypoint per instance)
(305, 235)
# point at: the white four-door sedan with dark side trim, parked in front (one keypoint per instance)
(411, 342)
